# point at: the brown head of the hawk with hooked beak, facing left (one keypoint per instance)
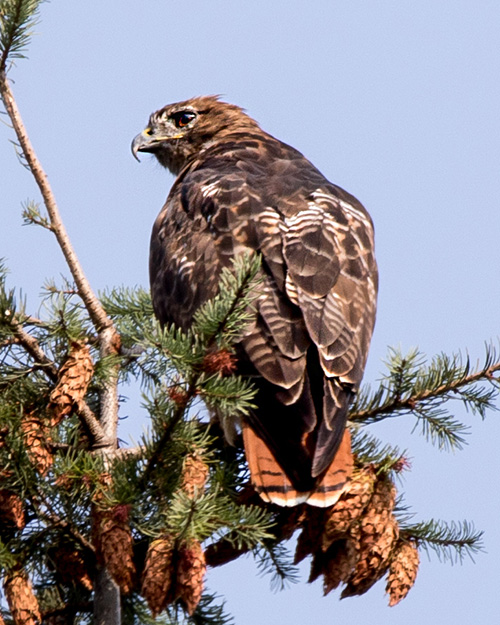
(177, 132)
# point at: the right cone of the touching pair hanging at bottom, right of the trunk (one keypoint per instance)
(190, 573)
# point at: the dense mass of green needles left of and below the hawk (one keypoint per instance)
(58, 503)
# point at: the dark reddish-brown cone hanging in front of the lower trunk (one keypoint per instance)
(114, 544)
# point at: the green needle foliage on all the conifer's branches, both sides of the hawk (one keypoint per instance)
(55, 480)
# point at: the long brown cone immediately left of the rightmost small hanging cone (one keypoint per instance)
(378, 533)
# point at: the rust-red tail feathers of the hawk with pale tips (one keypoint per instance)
(273, 485)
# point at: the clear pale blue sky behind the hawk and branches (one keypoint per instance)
(396, 101)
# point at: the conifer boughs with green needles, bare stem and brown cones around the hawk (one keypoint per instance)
(75, 506)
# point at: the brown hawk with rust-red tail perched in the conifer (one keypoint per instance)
(240, 190)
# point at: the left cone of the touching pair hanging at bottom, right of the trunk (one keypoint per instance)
(157, 576)
